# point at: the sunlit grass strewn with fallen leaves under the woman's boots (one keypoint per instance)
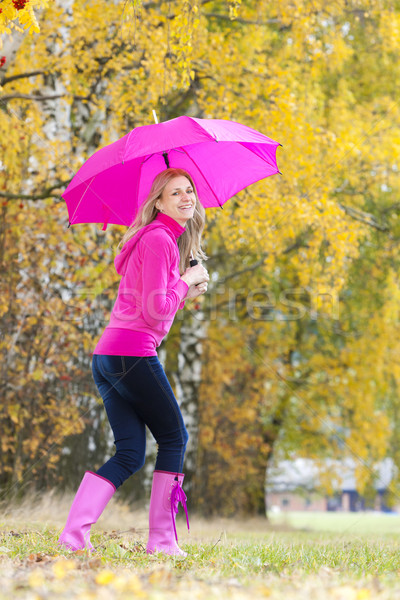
(298, 555)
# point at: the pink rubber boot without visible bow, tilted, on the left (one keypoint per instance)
(90, 500)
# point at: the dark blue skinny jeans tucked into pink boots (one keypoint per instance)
(136, 393)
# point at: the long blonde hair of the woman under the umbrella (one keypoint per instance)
(190, 240)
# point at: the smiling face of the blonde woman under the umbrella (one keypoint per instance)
(178, 199)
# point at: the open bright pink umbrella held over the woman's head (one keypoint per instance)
(223, 157)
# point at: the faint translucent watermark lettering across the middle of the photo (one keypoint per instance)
(232, 304)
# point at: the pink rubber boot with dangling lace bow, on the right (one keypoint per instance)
(166, 493)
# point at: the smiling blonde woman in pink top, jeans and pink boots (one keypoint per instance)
(156, 281)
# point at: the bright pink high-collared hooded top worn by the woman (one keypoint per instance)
(150, 291)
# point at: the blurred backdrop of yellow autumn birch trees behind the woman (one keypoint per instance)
(288, 370)
